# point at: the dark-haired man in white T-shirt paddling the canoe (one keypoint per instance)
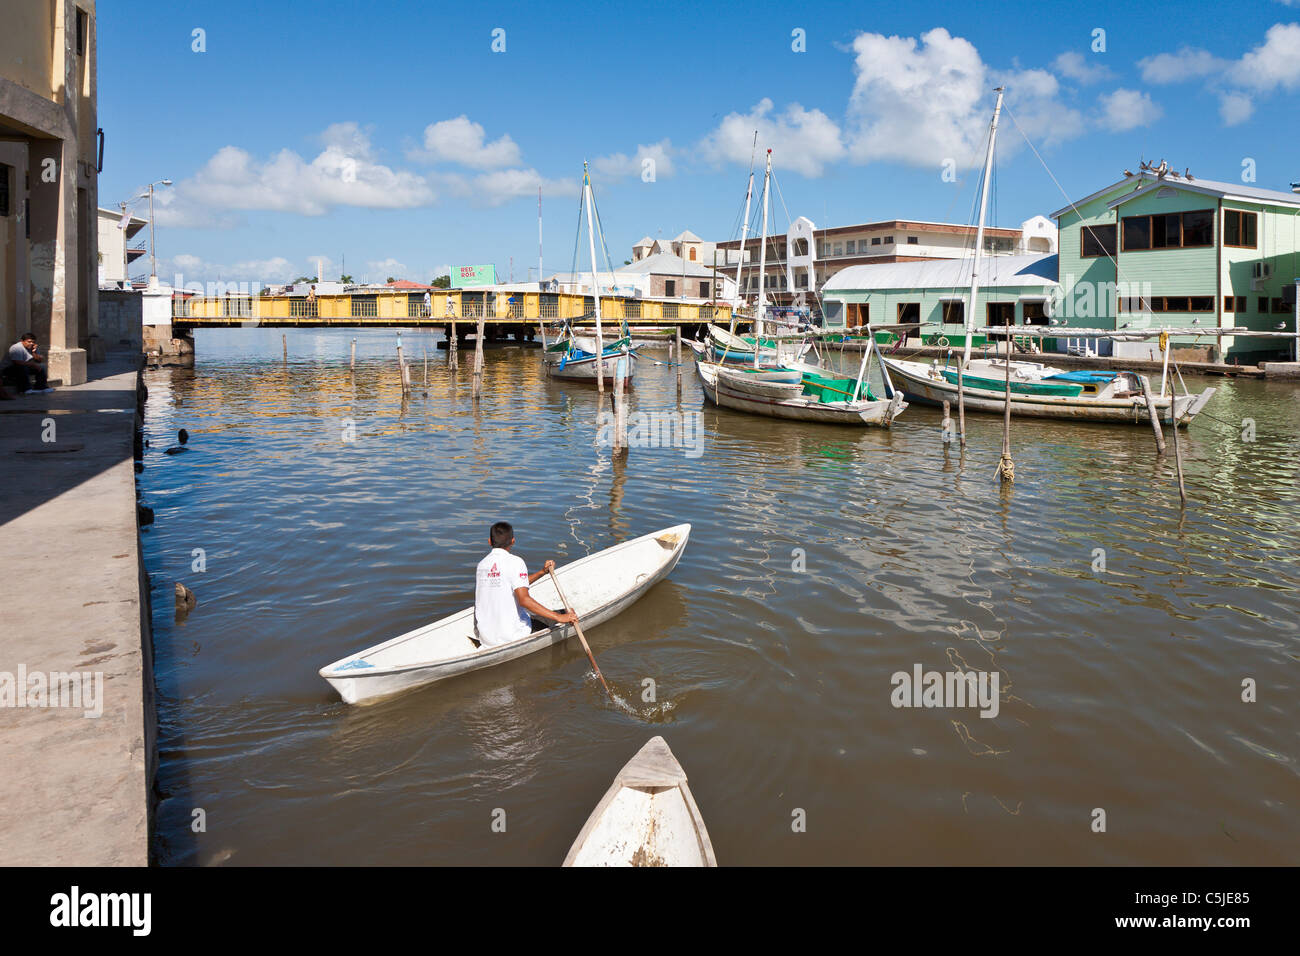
(504, 608)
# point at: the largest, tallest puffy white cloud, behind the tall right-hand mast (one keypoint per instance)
(926, 102)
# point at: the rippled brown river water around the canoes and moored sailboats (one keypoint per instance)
(822, 563)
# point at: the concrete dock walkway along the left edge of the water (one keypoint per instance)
(77, 788)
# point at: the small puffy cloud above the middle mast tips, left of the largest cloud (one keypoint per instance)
(801, 140)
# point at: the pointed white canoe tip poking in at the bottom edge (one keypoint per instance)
(647, 819)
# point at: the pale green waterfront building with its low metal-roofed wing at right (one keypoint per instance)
(1151, 250)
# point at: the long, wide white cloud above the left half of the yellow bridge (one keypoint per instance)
(344, 174)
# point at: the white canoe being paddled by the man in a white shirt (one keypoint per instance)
(599, 587)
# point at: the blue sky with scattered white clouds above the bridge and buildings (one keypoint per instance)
(395, 136)
